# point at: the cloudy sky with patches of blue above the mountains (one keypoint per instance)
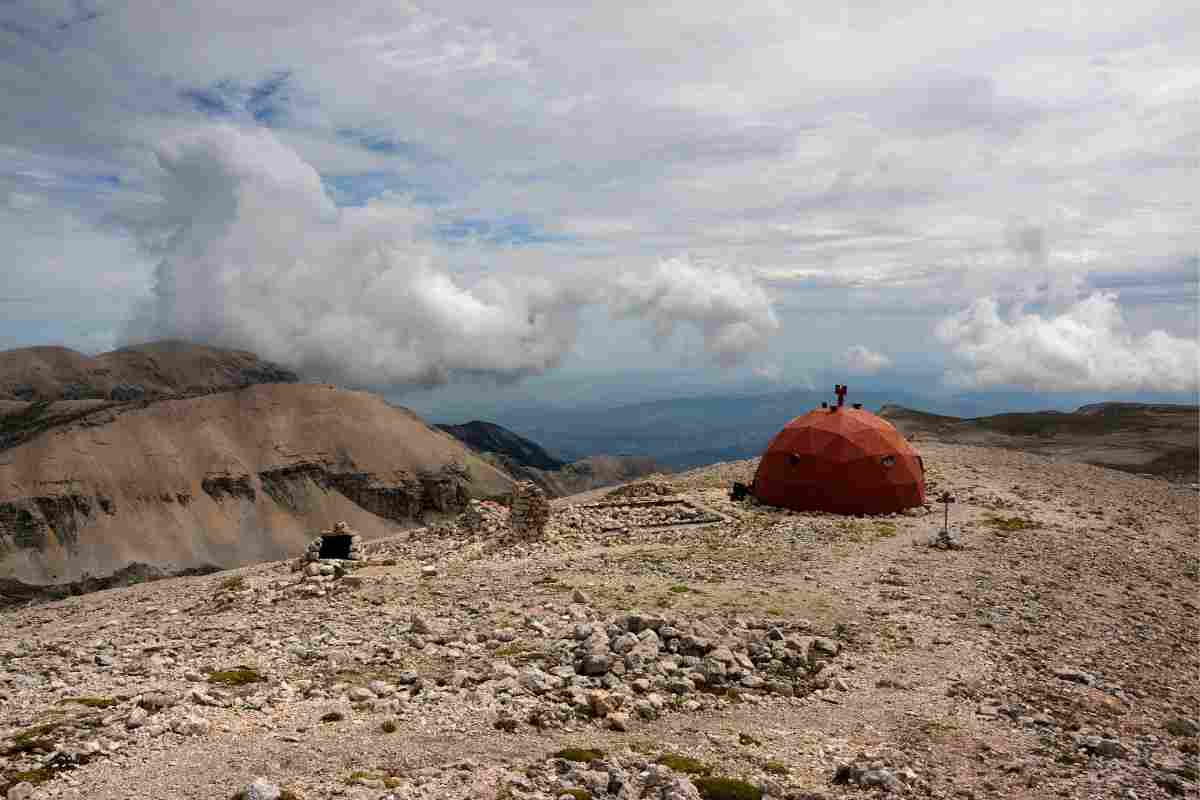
(400, 195)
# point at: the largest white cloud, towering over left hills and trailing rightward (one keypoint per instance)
(255, 255)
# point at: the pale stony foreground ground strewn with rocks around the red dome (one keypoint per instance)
(663, 643)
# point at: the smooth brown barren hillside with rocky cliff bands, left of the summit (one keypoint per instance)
(223, 479)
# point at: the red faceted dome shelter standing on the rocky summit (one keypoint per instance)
(841, 460)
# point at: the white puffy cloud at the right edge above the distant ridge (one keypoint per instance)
(1088, 347)
